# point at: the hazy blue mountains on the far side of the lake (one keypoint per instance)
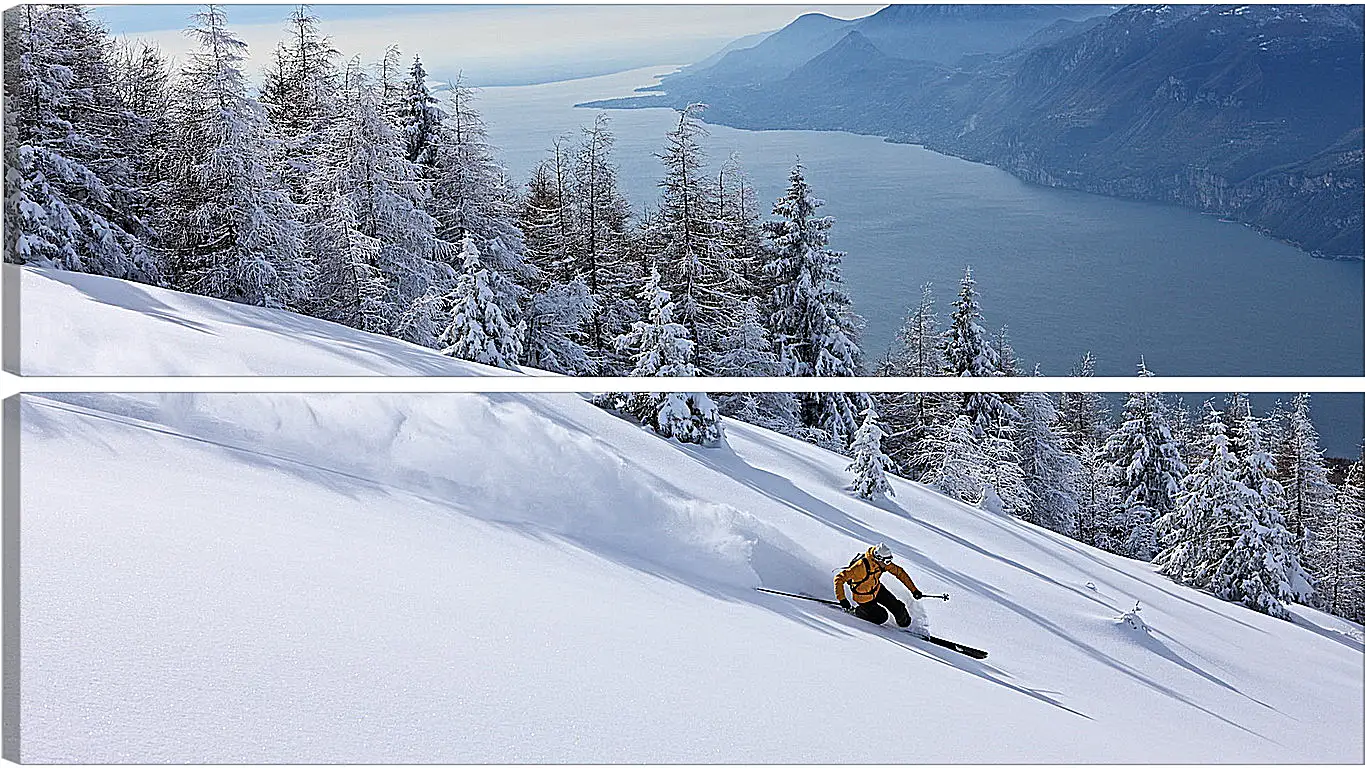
(1248, 113)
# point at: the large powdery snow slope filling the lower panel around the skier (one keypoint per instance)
(515, 578)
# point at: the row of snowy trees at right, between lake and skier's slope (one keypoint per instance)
(1224, 500)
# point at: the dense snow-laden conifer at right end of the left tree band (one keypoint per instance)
(813, 317)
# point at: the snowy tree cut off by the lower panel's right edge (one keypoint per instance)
(1340, 549)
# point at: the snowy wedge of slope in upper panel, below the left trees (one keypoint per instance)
(83, 325)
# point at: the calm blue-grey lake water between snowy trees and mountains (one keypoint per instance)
(1068, 272)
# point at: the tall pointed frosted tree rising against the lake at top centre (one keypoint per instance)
(693, 260)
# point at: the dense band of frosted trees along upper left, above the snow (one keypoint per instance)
(361, 194)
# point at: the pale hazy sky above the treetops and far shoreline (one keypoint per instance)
(491, 44)
